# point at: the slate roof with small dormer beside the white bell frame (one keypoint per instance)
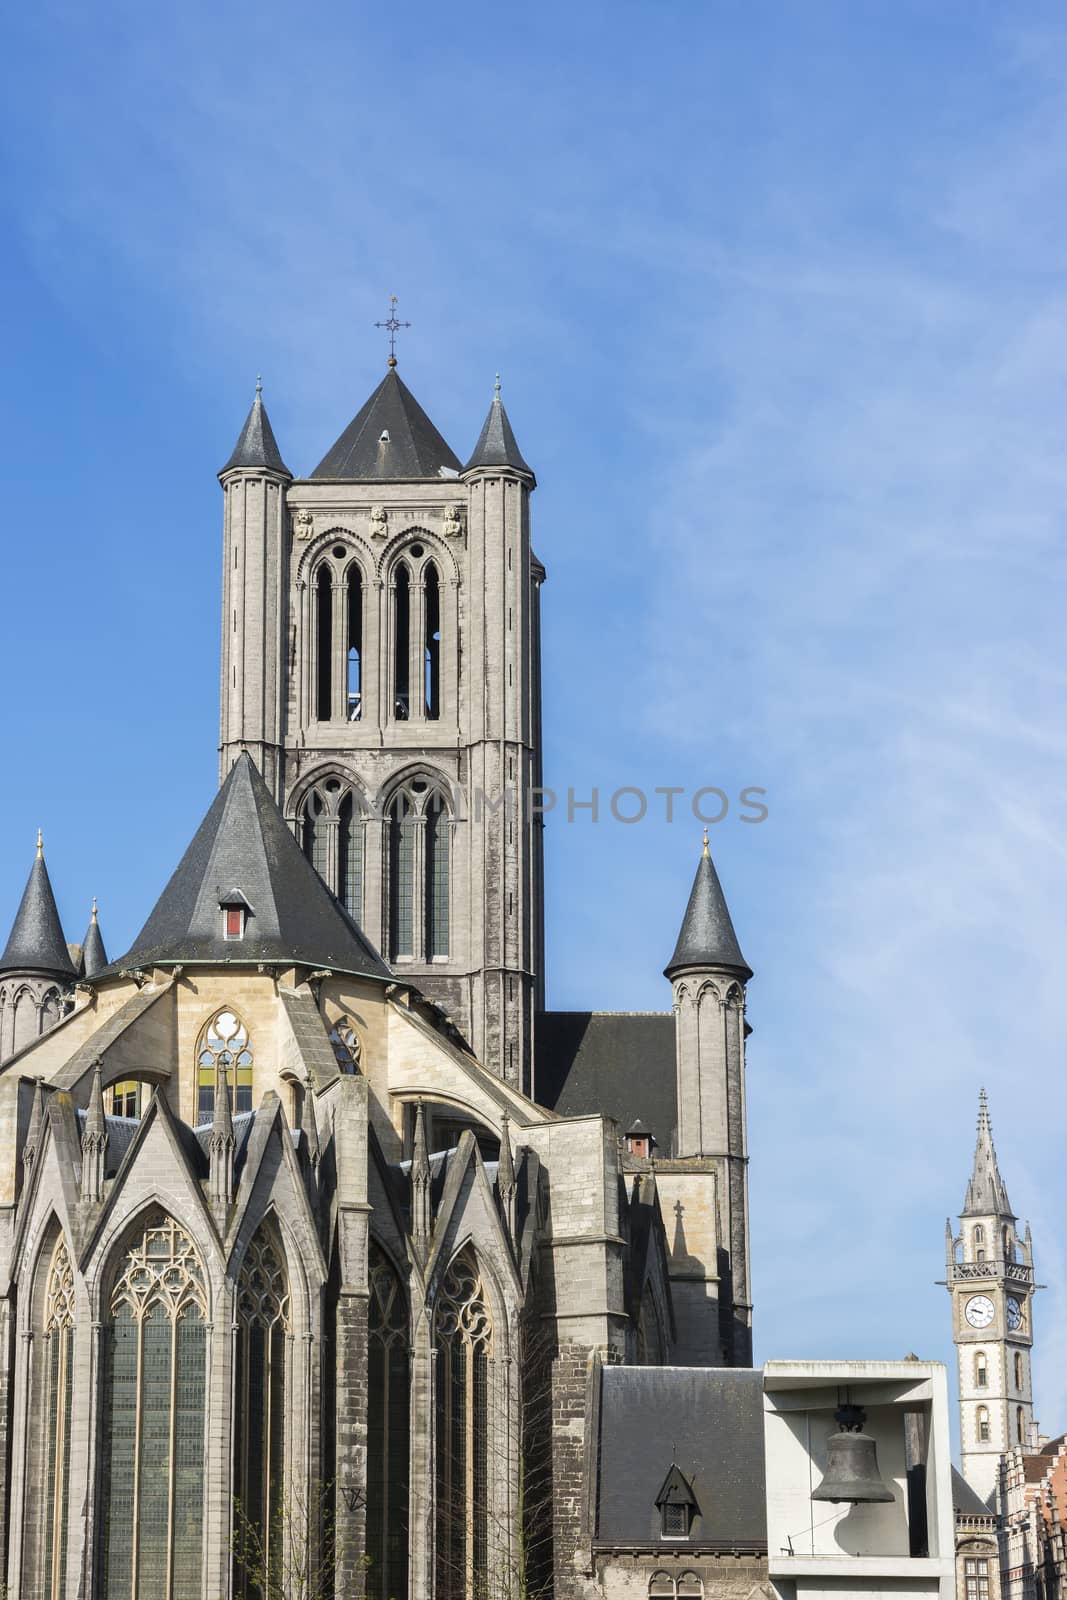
(706, 1422)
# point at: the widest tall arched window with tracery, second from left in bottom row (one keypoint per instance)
(154, 1418)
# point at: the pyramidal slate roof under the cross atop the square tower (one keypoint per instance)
(414, 449)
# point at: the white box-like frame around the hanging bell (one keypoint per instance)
(823, 1551)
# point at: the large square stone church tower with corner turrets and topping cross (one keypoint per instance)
(382, 665)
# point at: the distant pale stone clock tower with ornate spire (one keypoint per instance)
(991, 1282)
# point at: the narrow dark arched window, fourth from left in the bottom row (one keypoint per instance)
(388, 1415)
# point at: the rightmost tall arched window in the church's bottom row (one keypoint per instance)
(463, 1340)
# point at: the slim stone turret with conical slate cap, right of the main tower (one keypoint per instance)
(708, 975)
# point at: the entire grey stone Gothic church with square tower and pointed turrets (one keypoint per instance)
(321, 1239)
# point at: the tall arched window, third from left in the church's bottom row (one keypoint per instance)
(263, 1324)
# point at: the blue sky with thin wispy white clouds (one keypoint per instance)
(777, 294)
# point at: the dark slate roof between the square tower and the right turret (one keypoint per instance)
(617, 1063)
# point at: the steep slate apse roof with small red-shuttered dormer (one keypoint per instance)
(244, 841)
